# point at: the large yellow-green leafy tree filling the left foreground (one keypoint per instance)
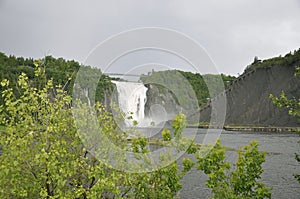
(43, 156)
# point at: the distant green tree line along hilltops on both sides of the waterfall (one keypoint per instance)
(65, 71)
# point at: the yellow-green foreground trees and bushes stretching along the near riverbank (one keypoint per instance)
(43, 156)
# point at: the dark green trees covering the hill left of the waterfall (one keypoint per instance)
(61, 72)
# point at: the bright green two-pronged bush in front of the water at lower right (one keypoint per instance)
(240, 183)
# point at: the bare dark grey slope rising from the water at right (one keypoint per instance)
(248, 101)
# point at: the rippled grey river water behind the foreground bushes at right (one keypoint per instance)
(279, 167)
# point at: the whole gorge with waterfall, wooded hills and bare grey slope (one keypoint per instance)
(248, 101)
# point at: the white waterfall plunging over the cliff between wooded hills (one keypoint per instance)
(132, 99)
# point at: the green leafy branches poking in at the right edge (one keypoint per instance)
(293, 106)
